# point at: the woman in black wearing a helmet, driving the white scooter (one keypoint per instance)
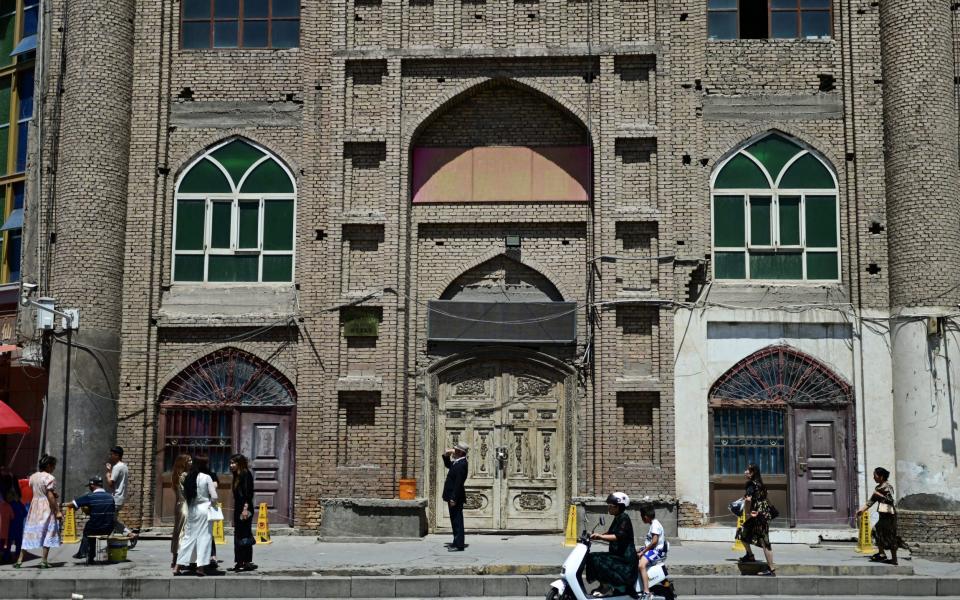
(617, 568)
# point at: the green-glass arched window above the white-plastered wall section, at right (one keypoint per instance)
(775, 214)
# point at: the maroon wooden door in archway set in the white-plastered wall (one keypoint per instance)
(821, 467)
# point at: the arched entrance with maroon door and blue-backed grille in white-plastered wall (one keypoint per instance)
(791, 415)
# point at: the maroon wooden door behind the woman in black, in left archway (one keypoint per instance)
(265, 441)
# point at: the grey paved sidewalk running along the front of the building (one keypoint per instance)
(290, 556)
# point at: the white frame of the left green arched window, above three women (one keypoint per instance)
(234, 198)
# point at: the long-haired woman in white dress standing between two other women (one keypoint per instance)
(200, 491)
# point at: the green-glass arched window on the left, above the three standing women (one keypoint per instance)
(234, 217)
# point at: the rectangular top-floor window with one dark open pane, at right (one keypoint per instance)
(773, 19)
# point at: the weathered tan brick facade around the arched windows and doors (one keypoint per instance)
(635, 80)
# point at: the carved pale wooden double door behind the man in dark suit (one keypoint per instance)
(511, 415)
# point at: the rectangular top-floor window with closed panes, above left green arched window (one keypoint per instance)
(240, 24)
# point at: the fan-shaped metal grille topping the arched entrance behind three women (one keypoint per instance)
(229, 378)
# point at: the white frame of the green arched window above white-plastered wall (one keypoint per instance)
(774, 192)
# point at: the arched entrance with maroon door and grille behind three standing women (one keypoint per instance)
(226, 402)
